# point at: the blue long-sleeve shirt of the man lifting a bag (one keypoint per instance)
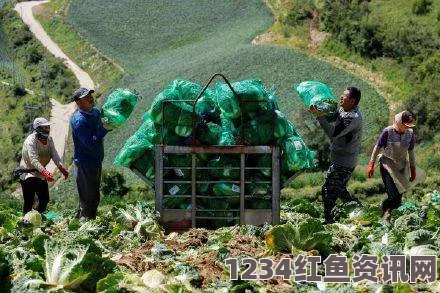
(88, 134)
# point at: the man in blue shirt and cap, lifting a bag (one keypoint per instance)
(88, 131)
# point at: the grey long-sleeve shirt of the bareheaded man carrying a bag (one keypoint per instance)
(345, 135)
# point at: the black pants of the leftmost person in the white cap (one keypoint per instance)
(30, 187)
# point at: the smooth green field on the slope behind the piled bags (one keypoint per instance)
(158, 41)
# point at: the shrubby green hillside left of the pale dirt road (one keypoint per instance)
(29, 76)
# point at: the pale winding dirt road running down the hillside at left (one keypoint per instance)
(60, 114)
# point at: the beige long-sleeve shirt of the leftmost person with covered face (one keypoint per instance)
(36, 155)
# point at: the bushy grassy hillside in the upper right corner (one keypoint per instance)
(393, 44)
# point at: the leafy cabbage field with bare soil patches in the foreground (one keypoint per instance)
(125, 249)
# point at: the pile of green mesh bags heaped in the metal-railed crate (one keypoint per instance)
(251, 117)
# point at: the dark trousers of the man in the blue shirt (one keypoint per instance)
(88, 181)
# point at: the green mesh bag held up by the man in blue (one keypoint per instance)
(118, 106)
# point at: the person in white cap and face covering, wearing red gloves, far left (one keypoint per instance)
(38, 150)
